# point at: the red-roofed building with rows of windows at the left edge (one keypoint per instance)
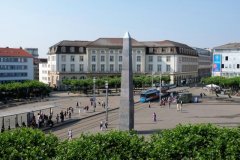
(15, 65)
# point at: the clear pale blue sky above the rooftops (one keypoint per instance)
(42, 23)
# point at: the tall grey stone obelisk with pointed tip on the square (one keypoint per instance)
(126, 119)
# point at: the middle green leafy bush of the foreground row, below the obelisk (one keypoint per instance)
(112, 145)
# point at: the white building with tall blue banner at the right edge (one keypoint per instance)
(226, 60)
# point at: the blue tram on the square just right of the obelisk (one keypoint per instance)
(149, 95)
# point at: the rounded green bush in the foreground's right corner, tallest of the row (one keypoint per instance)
(196, 142)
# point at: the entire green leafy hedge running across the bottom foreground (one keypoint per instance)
(201, 141)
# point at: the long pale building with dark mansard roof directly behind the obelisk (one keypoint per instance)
(103, 57)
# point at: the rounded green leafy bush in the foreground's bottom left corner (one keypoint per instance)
(27, 143)
